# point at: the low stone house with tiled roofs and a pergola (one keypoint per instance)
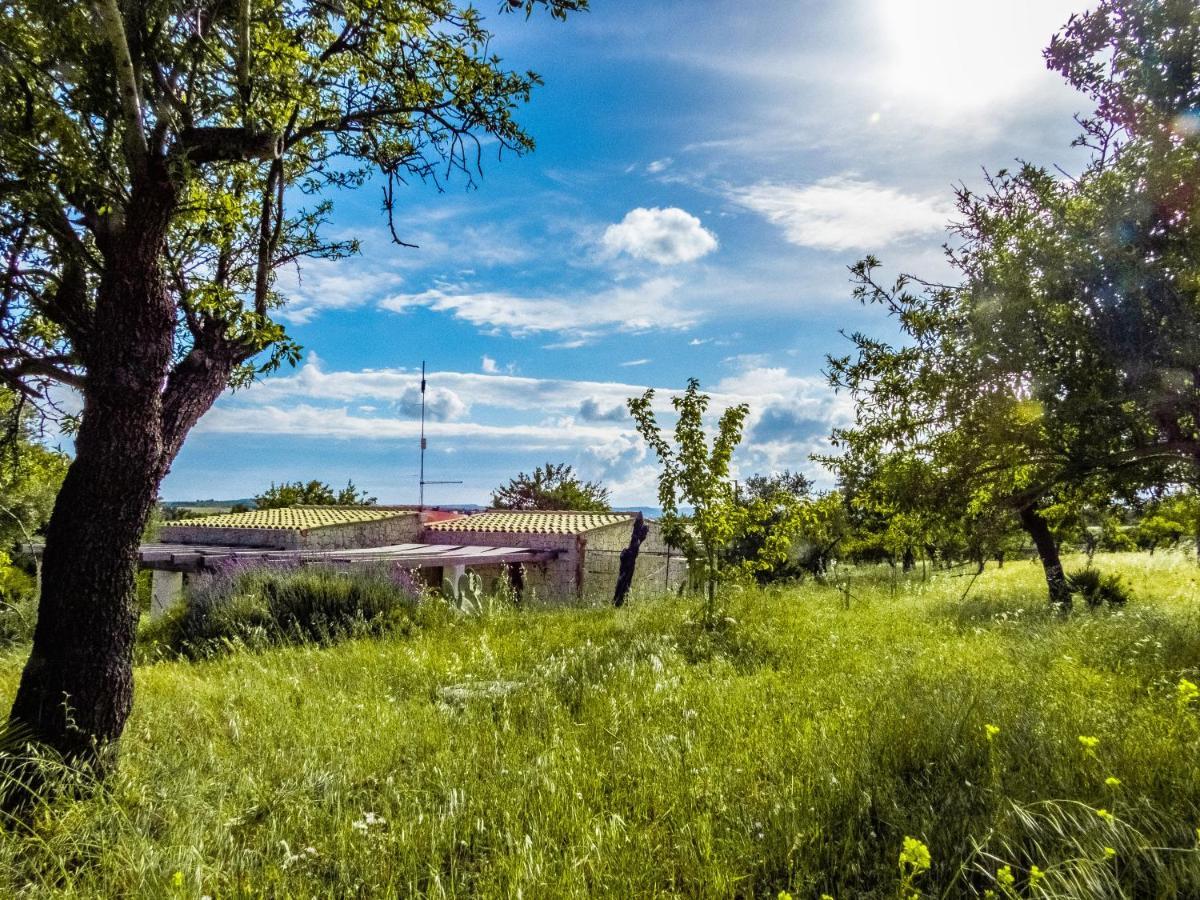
(575, 557)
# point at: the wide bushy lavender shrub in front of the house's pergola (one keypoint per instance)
(263, 607)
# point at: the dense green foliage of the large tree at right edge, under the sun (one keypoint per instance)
(1059, 369)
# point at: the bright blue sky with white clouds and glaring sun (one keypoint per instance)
(706, 171)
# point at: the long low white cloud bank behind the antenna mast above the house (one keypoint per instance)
(790, 418)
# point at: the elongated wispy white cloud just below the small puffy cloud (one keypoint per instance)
(651, 304)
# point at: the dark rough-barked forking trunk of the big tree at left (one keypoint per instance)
(77, 688)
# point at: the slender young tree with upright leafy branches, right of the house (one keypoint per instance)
(695, 475)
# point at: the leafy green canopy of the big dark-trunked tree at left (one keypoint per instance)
(229, 121)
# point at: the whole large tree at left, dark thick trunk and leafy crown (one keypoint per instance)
(160, 163)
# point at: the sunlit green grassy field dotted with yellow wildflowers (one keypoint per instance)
(628, 753)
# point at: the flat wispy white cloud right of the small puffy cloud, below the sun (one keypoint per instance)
(844, 213)
